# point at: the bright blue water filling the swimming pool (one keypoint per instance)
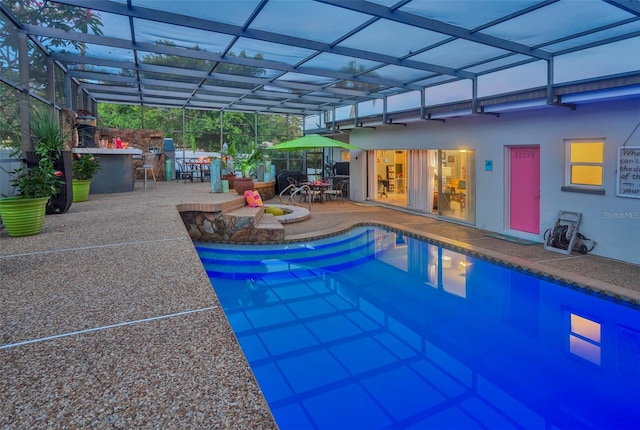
(375, 330)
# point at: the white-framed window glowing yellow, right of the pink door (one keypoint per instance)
(584, 164)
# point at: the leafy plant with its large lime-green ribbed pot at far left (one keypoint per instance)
(23, 215)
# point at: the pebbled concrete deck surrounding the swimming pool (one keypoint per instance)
(109, 320)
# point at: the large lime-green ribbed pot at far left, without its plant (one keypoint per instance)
(23, 217)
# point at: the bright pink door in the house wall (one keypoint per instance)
(524, 195)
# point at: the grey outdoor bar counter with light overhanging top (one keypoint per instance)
(116, 174)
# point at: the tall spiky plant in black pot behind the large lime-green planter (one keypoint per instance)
(49, 141)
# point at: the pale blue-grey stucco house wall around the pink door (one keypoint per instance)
(614, 222)
